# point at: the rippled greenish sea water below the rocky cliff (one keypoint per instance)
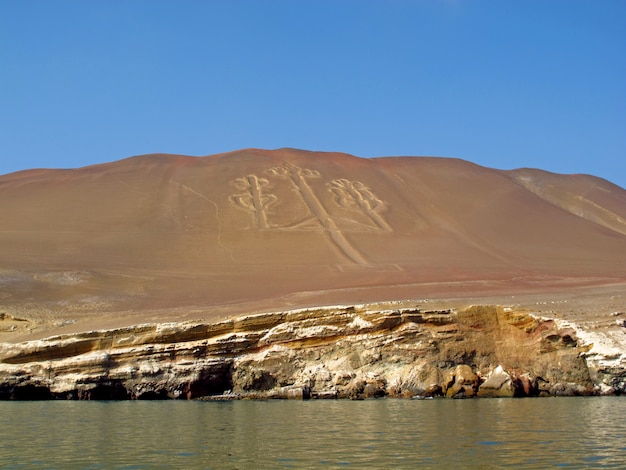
(497, 433)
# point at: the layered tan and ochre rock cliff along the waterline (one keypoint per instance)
(332, 352)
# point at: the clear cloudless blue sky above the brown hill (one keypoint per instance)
(502, 83)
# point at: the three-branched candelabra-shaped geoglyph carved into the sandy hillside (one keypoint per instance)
(350, 195)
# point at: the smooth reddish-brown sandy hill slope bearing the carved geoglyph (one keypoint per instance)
(168, 236)
